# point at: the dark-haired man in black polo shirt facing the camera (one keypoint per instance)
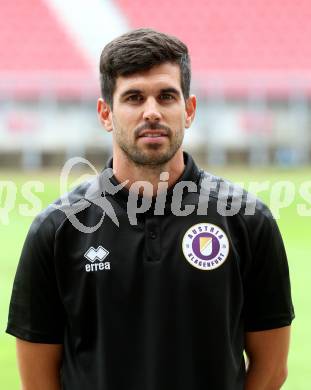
(169, 299)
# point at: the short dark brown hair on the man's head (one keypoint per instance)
(140, 50)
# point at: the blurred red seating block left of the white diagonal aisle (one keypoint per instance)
(36, 51)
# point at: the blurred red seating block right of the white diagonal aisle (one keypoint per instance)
(235, 41)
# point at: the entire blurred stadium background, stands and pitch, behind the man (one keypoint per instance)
(251, 63)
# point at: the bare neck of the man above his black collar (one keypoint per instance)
(125, 169)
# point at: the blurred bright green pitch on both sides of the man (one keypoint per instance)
(296, 232)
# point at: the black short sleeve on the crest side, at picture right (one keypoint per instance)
(268, 302)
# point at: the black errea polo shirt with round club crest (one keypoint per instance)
(160, 304)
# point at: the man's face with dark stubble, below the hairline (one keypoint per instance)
(149, 115)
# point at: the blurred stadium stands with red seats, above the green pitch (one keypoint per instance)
(251, 63)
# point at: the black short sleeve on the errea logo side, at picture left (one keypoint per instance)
(36, 313)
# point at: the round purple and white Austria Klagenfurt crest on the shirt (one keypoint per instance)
(205, 246)
